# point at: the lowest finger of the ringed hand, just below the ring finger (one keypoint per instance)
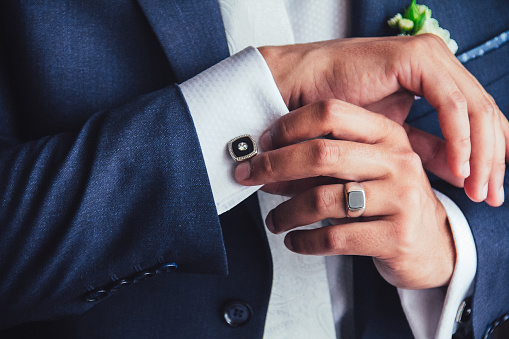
(362, 238)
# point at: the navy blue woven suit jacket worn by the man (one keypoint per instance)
(107, 222)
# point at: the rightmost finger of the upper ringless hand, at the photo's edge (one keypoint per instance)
(496, 193)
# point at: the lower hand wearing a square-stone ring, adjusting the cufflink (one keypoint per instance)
(404, 226)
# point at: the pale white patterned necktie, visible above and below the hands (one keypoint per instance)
(300, 304)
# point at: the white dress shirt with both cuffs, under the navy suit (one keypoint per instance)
(238, 96)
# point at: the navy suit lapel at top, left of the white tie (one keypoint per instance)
(191, 33)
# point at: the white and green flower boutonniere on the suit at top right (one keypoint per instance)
(416, 19)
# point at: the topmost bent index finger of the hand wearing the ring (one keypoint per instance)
(336, 118)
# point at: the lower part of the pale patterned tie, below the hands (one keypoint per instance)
(300, 305)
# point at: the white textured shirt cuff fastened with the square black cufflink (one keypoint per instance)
(234, 97)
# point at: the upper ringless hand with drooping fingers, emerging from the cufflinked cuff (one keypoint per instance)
(370, 71)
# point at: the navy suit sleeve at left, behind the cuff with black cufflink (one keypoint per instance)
(83, 209)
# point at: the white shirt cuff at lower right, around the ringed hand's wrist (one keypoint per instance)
(432, 313)
